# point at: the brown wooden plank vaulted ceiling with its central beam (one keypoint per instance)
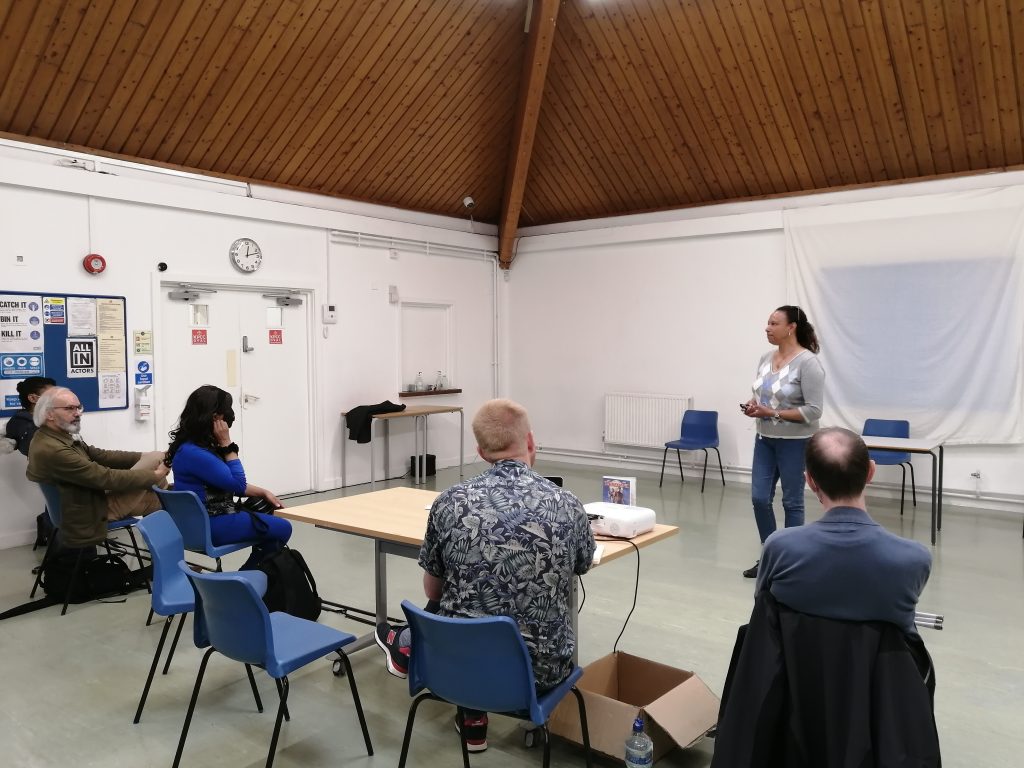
(542, 111)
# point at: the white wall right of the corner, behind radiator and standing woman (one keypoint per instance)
(677, 304)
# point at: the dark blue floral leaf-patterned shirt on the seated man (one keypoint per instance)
(510, 543)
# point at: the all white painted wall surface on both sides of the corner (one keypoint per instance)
(671, 303)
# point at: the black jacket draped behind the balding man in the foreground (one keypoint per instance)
(810, 693)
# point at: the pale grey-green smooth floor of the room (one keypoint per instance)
(69, 686)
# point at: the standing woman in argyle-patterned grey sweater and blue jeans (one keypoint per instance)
(788, 397)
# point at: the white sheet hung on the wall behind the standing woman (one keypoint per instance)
(918, 305)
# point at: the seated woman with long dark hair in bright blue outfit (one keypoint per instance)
(205, 460)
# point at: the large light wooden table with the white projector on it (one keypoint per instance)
(397, 520)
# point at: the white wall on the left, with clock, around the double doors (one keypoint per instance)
(53, 217)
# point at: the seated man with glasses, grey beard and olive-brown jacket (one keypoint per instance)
(96, 486)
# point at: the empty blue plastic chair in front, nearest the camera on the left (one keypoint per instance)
(232, 619)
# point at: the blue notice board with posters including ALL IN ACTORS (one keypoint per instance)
(77, 339)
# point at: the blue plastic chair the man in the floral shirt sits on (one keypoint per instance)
(481, 664)
